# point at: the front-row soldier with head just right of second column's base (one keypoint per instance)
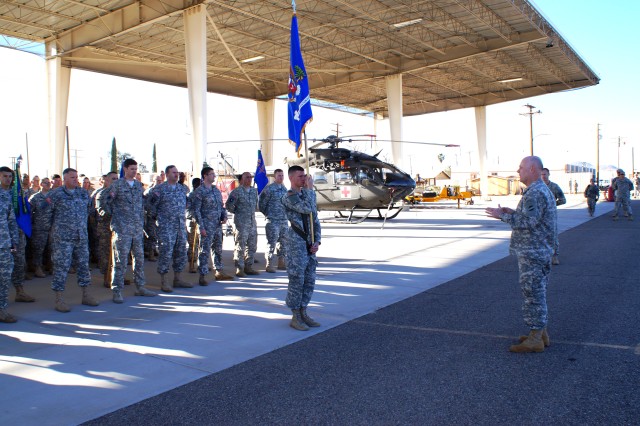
(208, 210)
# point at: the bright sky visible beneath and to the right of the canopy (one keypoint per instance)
(139, 114)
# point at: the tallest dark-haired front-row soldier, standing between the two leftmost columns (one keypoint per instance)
(123, 201)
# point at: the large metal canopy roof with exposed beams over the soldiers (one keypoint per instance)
(452, 53)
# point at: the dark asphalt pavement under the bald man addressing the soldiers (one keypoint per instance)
(441, 357)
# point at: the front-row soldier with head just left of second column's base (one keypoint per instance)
(167, 203)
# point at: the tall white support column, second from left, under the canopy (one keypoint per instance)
(195, 37)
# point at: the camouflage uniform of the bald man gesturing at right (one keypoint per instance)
(534, 225)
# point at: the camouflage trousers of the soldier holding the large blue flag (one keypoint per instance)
(301, 269)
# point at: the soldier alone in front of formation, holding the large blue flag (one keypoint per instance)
(303, 241)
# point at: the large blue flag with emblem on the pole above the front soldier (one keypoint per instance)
(299, 101)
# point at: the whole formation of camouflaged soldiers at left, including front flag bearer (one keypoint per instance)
(122, 224)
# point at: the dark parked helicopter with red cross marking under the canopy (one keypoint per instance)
(353, 182)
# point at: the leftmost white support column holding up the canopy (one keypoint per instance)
(58, 79)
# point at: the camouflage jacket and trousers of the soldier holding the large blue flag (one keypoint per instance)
(301, 266)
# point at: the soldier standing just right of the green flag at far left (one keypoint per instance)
(41, 226)
